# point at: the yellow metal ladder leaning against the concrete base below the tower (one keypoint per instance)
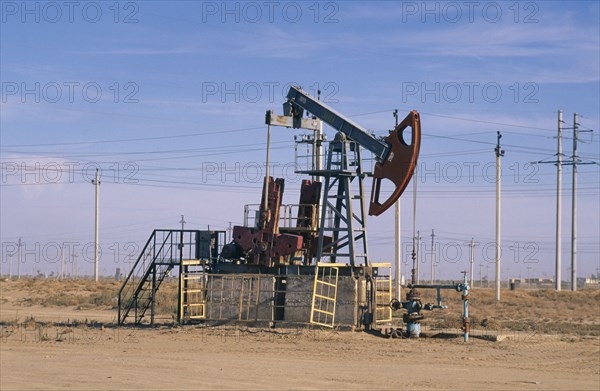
(324, 295)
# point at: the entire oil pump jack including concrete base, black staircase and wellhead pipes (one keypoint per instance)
(268, 265)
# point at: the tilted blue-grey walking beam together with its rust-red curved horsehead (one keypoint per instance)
(396, 159)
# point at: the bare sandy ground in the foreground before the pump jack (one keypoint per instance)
(51, 353)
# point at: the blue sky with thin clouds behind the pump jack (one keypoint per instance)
(168, 99)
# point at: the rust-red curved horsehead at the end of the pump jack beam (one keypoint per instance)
(399, 165)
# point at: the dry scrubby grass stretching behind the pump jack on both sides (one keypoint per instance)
(541, 311)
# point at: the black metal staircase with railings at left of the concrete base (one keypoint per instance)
(164, 250)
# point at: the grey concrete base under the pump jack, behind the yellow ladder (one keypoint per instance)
(286, 298)
